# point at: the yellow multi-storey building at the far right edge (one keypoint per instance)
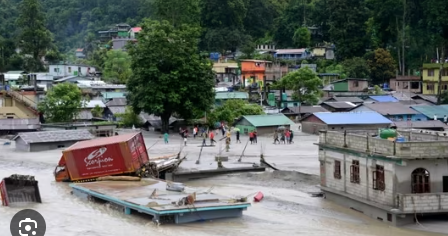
(430, 78)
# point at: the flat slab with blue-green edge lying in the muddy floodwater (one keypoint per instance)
(151, 197)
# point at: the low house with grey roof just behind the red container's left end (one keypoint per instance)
(49, 140)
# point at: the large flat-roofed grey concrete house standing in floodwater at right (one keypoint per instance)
(394, 182)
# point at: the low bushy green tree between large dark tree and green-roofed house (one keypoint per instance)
(233, 109)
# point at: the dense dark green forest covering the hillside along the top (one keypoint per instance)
(411, 30)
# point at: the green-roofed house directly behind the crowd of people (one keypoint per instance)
(264, 124)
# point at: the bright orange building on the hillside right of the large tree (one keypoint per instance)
(254, 71)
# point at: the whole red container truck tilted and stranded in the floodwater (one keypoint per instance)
(118, 155)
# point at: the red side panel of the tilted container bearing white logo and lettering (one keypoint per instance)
(99, 161)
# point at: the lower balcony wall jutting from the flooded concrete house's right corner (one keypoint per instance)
(422, 203)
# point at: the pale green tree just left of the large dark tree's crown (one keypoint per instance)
(117, 66)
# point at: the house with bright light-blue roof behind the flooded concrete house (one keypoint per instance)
(344, 121)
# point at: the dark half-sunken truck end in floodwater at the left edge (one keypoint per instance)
(19, 189)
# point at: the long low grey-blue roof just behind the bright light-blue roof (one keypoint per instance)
(394, 111)
